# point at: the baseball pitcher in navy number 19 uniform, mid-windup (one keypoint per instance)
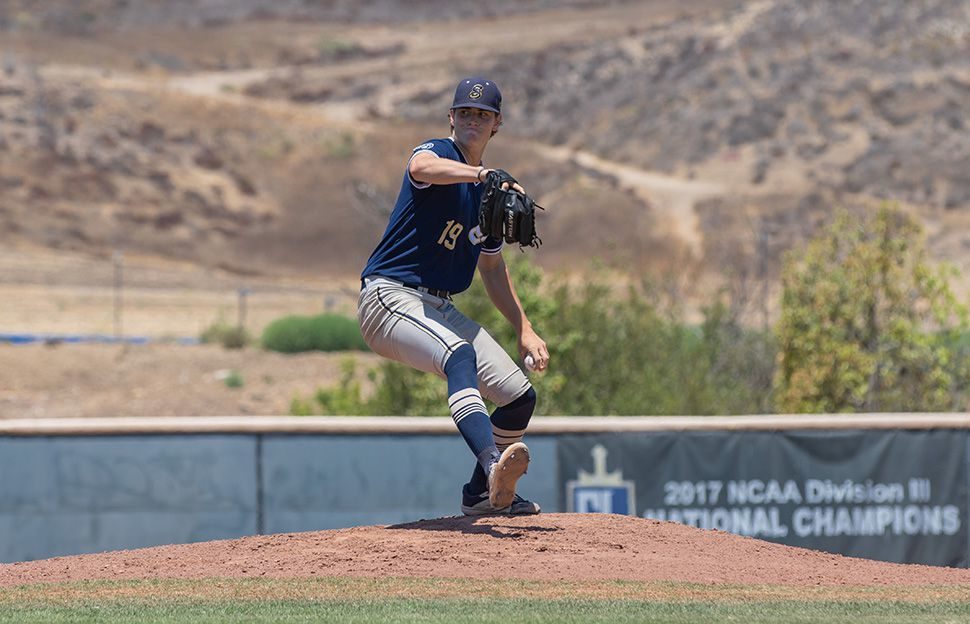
(435, 239)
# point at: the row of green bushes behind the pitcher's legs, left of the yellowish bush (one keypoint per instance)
(611, 354)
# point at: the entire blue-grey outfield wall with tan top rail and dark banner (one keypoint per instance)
(882, 486)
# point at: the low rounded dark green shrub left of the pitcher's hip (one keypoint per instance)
(324, 332)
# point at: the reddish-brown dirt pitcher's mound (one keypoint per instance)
(549, 547)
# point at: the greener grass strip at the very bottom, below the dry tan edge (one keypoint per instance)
(448, 611)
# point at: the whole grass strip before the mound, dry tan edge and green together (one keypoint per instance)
(447, 601)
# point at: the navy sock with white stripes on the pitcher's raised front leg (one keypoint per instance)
(467, 407)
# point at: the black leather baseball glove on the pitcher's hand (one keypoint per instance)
(506, 213)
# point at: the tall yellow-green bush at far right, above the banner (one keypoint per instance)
(868, 324)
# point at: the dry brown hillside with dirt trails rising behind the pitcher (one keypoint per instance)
(701, 137)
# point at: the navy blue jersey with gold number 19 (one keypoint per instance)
(433, 238)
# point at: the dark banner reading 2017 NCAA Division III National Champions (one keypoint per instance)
(892, 495)
